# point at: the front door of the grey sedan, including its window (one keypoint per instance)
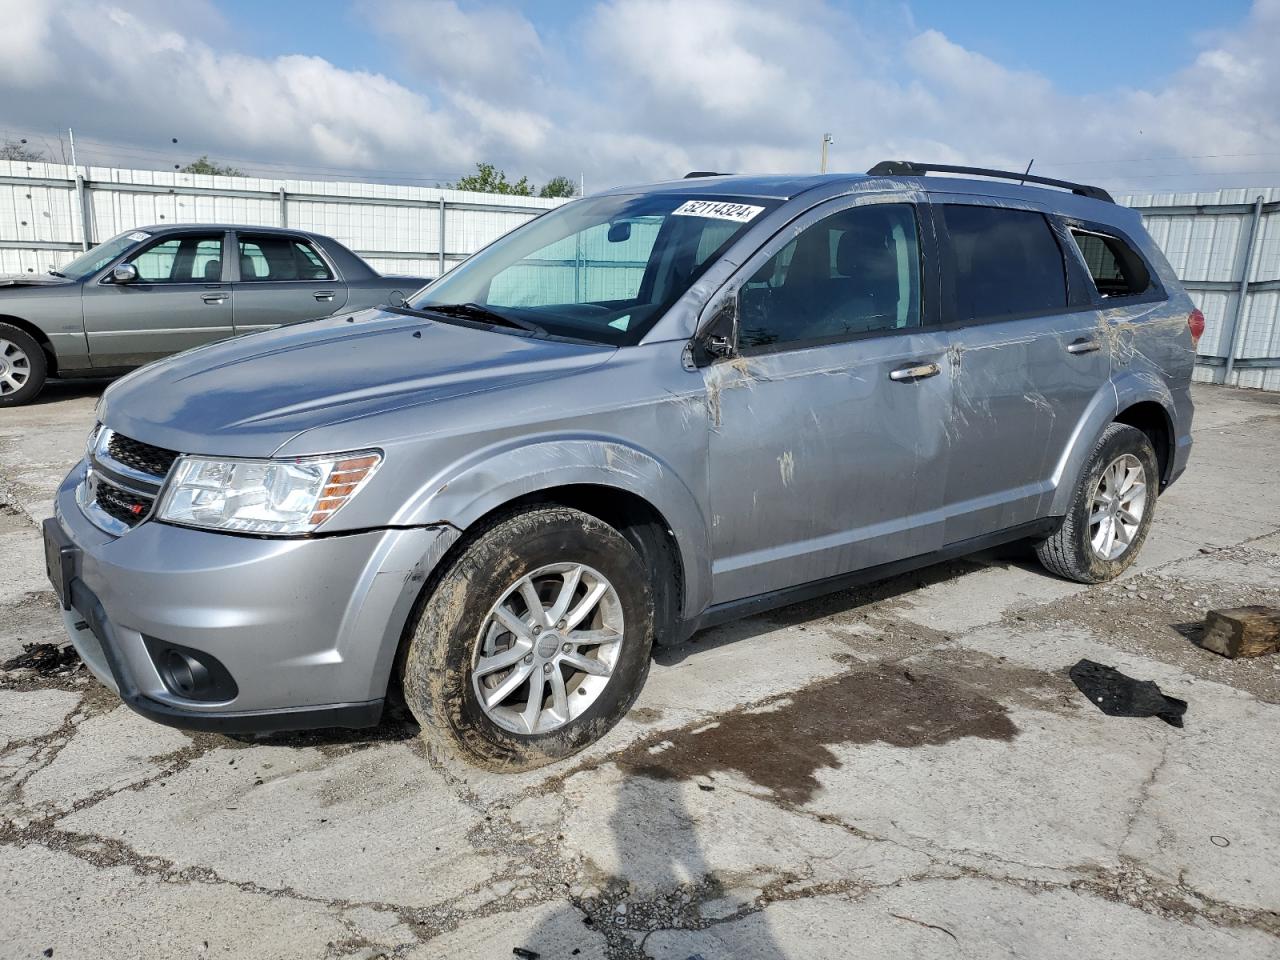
(179, 301)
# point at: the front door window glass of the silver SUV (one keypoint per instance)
(856, 272)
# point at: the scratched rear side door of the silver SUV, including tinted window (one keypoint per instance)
(1027, 354)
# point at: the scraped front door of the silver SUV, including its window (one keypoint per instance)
(830, 446)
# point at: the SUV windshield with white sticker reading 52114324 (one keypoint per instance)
(602, 269)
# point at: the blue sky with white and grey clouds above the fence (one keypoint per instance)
(1139, 97)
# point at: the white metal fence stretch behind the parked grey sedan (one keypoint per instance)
(52, 212)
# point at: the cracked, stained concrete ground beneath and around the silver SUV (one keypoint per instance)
(902, 771)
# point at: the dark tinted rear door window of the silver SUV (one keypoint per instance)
(1007, 263)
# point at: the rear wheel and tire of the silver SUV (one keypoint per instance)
(1112, 510)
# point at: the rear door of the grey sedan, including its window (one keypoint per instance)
(282, 280)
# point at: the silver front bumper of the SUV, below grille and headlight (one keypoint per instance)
(307, 628)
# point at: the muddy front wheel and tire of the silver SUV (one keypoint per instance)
(511, 624)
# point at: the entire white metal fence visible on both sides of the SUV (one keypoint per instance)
(1226, 245)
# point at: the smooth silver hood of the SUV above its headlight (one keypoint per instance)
(249, 396)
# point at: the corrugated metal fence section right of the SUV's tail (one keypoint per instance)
(1208, 244)
